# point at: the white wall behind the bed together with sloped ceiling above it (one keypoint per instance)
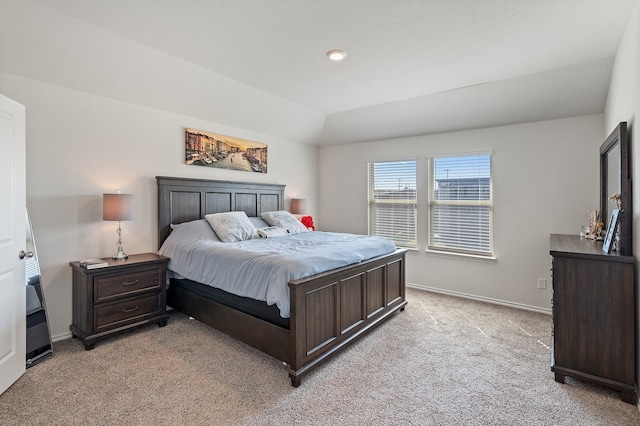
(105, 113)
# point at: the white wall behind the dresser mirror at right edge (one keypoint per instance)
(623, 104)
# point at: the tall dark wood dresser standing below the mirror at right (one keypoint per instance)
(593, 314)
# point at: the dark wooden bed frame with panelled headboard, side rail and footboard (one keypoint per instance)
(328, 311)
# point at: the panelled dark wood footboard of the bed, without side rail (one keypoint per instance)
(330, 310)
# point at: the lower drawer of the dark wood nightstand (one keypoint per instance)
(131, 309)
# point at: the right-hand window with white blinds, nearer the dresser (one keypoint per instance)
(461, 204)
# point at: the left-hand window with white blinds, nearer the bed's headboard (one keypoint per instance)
(392, 201)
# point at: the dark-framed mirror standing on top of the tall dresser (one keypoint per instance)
(615, 179)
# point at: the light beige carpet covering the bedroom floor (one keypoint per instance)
(443, 361)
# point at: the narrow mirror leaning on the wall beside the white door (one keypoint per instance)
(39, 344)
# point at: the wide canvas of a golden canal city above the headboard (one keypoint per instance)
(224, 152)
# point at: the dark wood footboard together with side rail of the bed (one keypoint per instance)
(328, 311)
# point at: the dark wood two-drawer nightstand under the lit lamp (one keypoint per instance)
(118, 297)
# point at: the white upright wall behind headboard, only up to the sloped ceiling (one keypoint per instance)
(81, 145)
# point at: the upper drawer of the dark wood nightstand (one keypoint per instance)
(110, 286)
